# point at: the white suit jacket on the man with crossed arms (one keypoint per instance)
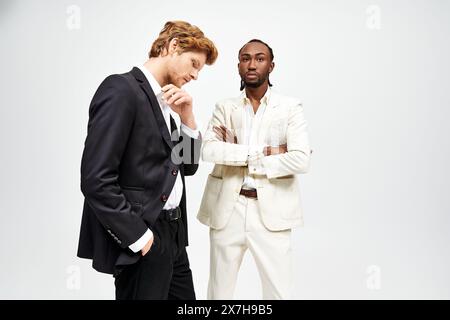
(277, 184)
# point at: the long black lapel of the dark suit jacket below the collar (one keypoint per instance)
(145, 86)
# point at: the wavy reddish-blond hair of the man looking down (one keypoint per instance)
(190, 38)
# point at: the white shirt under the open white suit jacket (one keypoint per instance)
(252, 123)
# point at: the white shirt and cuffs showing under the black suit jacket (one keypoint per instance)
(174, 198)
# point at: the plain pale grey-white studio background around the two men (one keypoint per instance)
(376, 200)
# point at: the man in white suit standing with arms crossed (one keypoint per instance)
(259, 143)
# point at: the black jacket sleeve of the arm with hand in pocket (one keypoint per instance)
(111, 119)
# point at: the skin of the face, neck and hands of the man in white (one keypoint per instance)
(254, 67)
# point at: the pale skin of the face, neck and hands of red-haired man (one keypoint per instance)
(173, 69)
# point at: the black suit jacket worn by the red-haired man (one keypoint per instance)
(127, 171)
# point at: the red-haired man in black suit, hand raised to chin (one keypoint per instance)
(142, 141)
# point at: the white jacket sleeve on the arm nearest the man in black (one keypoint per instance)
(219, 152)
